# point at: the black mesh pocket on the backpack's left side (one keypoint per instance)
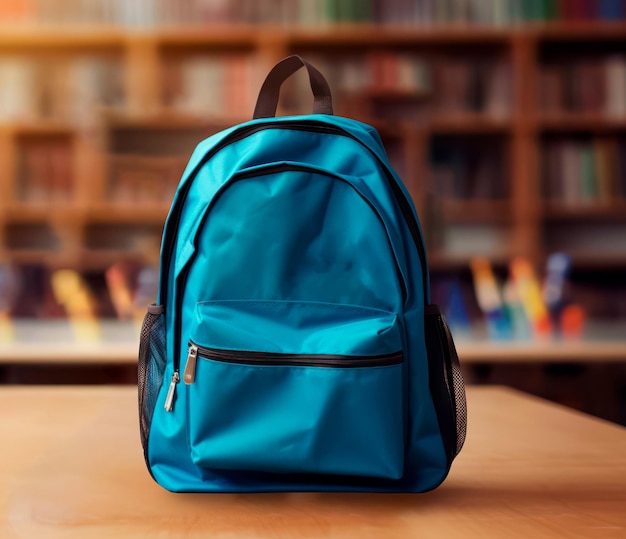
(151, 366)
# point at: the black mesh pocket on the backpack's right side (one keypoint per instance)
(446, 382)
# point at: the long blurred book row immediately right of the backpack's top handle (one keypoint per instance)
(446, 85)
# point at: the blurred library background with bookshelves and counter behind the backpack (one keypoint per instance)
(505, 118)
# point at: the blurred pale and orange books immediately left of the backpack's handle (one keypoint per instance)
(223, 85)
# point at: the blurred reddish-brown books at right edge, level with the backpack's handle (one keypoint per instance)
(585, 85)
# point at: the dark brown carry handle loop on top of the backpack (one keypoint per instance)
(267, 101)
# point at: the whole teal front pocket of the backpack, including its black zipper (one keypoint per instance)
(289, 387)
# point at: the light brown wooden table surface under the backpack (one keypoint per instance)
(71, 467)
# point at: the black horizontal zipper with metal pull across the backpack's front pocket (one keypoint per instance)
(242, 357)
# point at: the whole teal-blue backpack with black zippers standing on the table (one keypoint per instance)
(293, 346)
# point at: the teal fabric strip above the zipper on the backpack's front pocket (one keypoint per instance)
(294, 327)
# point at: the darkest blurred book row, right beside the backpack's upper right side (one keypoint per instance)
(465, 169)
